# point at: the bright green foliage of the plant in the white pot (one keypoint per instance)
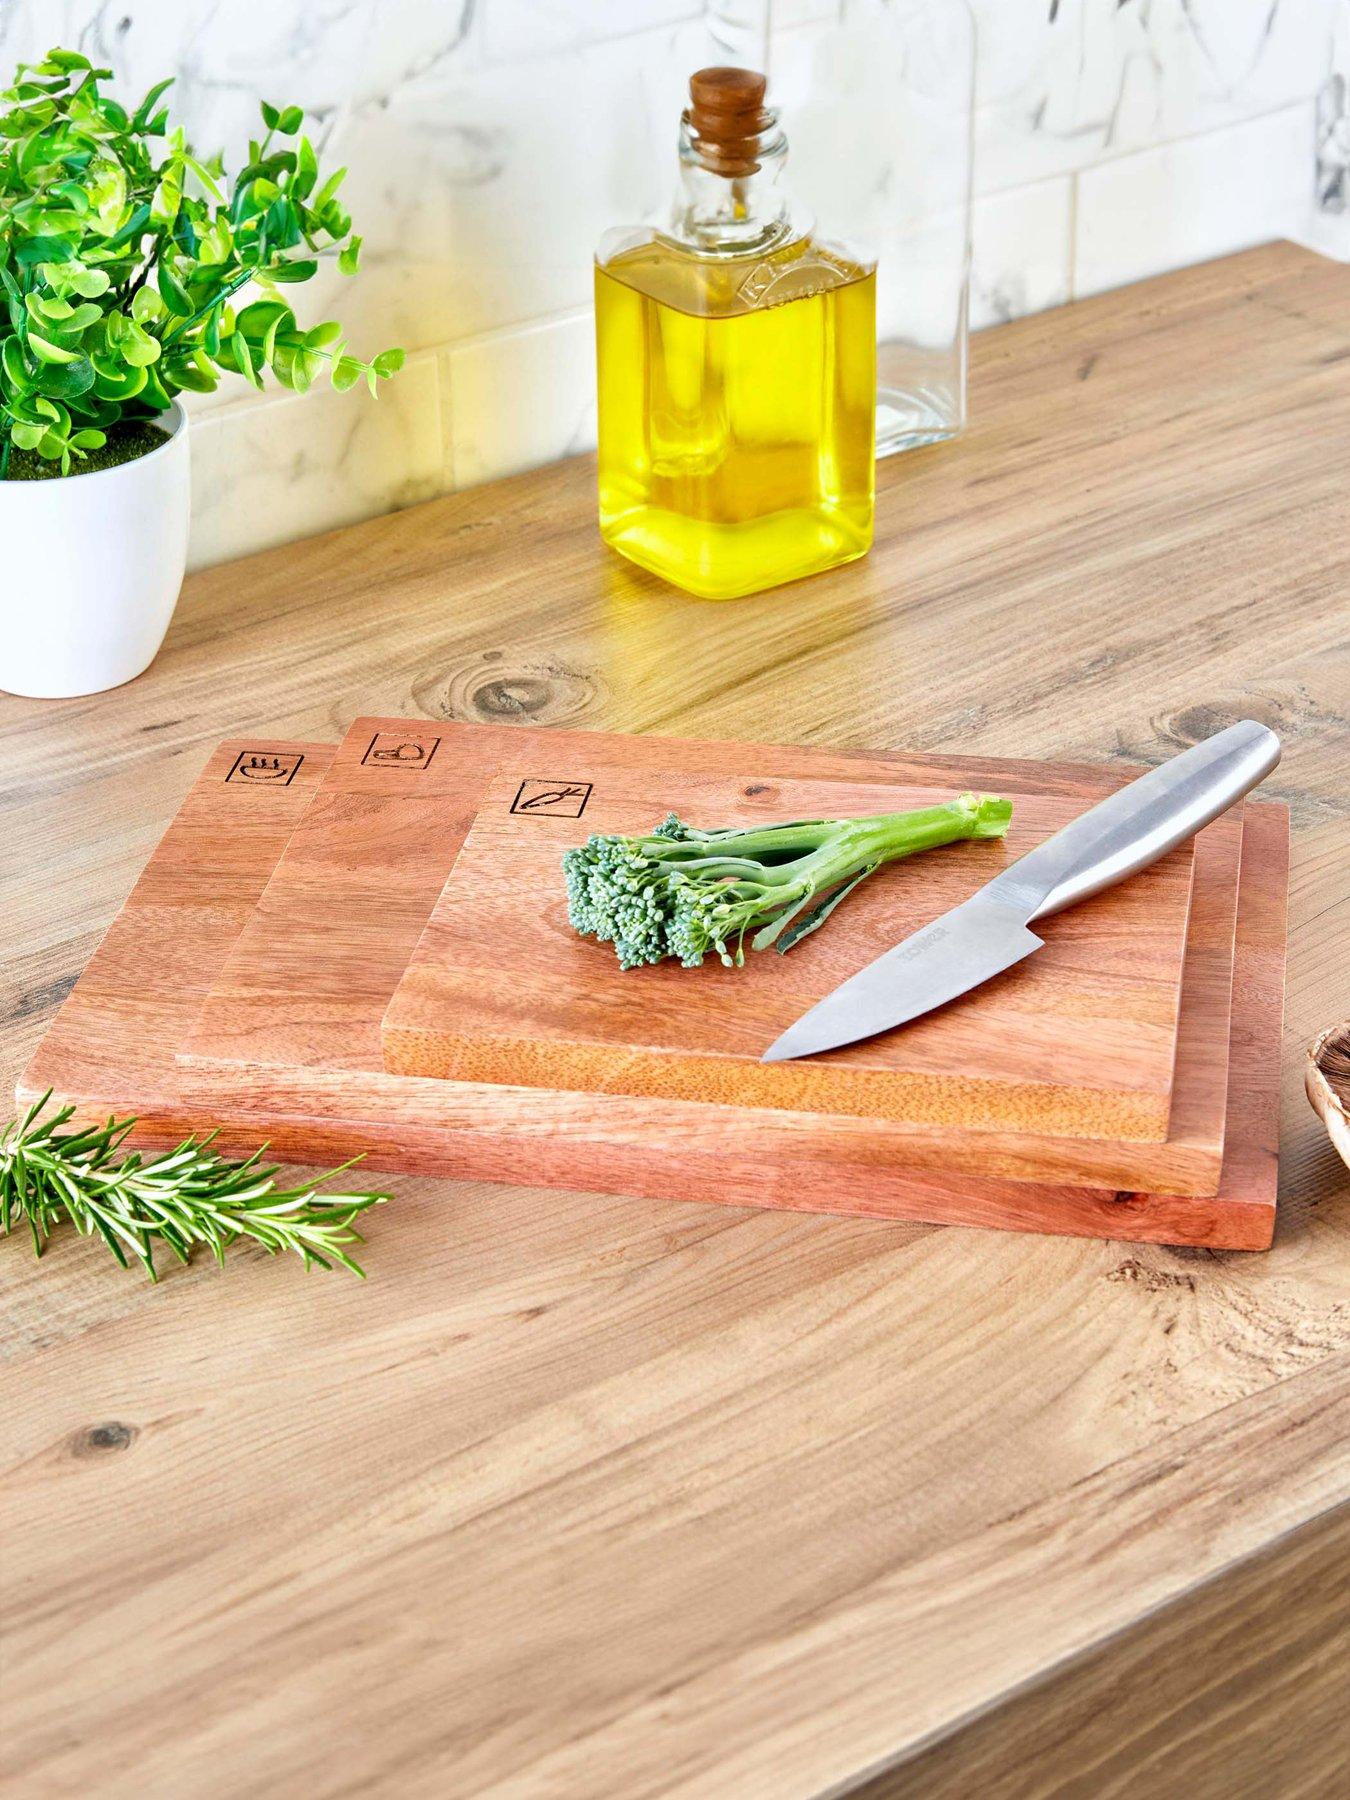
(123, 255)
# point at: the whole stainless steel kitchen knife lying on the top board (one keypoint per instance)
(989, 933)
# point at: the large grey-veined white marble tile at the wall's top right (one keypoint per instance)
(1070, 84)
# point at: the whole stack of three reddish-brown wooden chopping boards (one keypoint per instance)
(366, 949)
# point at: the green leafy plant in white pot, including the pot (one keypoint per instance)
(134, 271)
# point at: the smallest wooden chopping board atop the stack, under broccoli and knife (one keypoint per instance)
(501, 989)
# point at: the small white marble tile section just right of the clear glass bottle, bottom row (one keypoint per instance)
(1021, 251)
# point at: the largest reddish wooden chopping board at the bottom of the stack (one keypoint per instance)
(112, 1050)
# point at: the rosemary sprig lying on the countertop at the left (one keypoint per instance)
(181, 1200)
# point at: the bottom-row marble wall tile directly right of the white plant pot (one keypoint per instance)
(285, 469)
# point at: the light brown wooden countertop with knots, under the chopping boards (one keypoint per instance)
(595, 1497)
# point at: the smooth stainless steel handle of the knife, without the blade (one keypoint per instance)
(1138, 825)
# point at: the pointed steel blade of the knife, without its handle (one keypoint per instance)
(937, 964)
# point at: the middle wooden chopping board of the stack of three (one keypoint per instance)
(316, 967)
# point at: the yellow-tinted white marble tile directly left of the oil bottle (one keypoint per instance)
(521, 399)
